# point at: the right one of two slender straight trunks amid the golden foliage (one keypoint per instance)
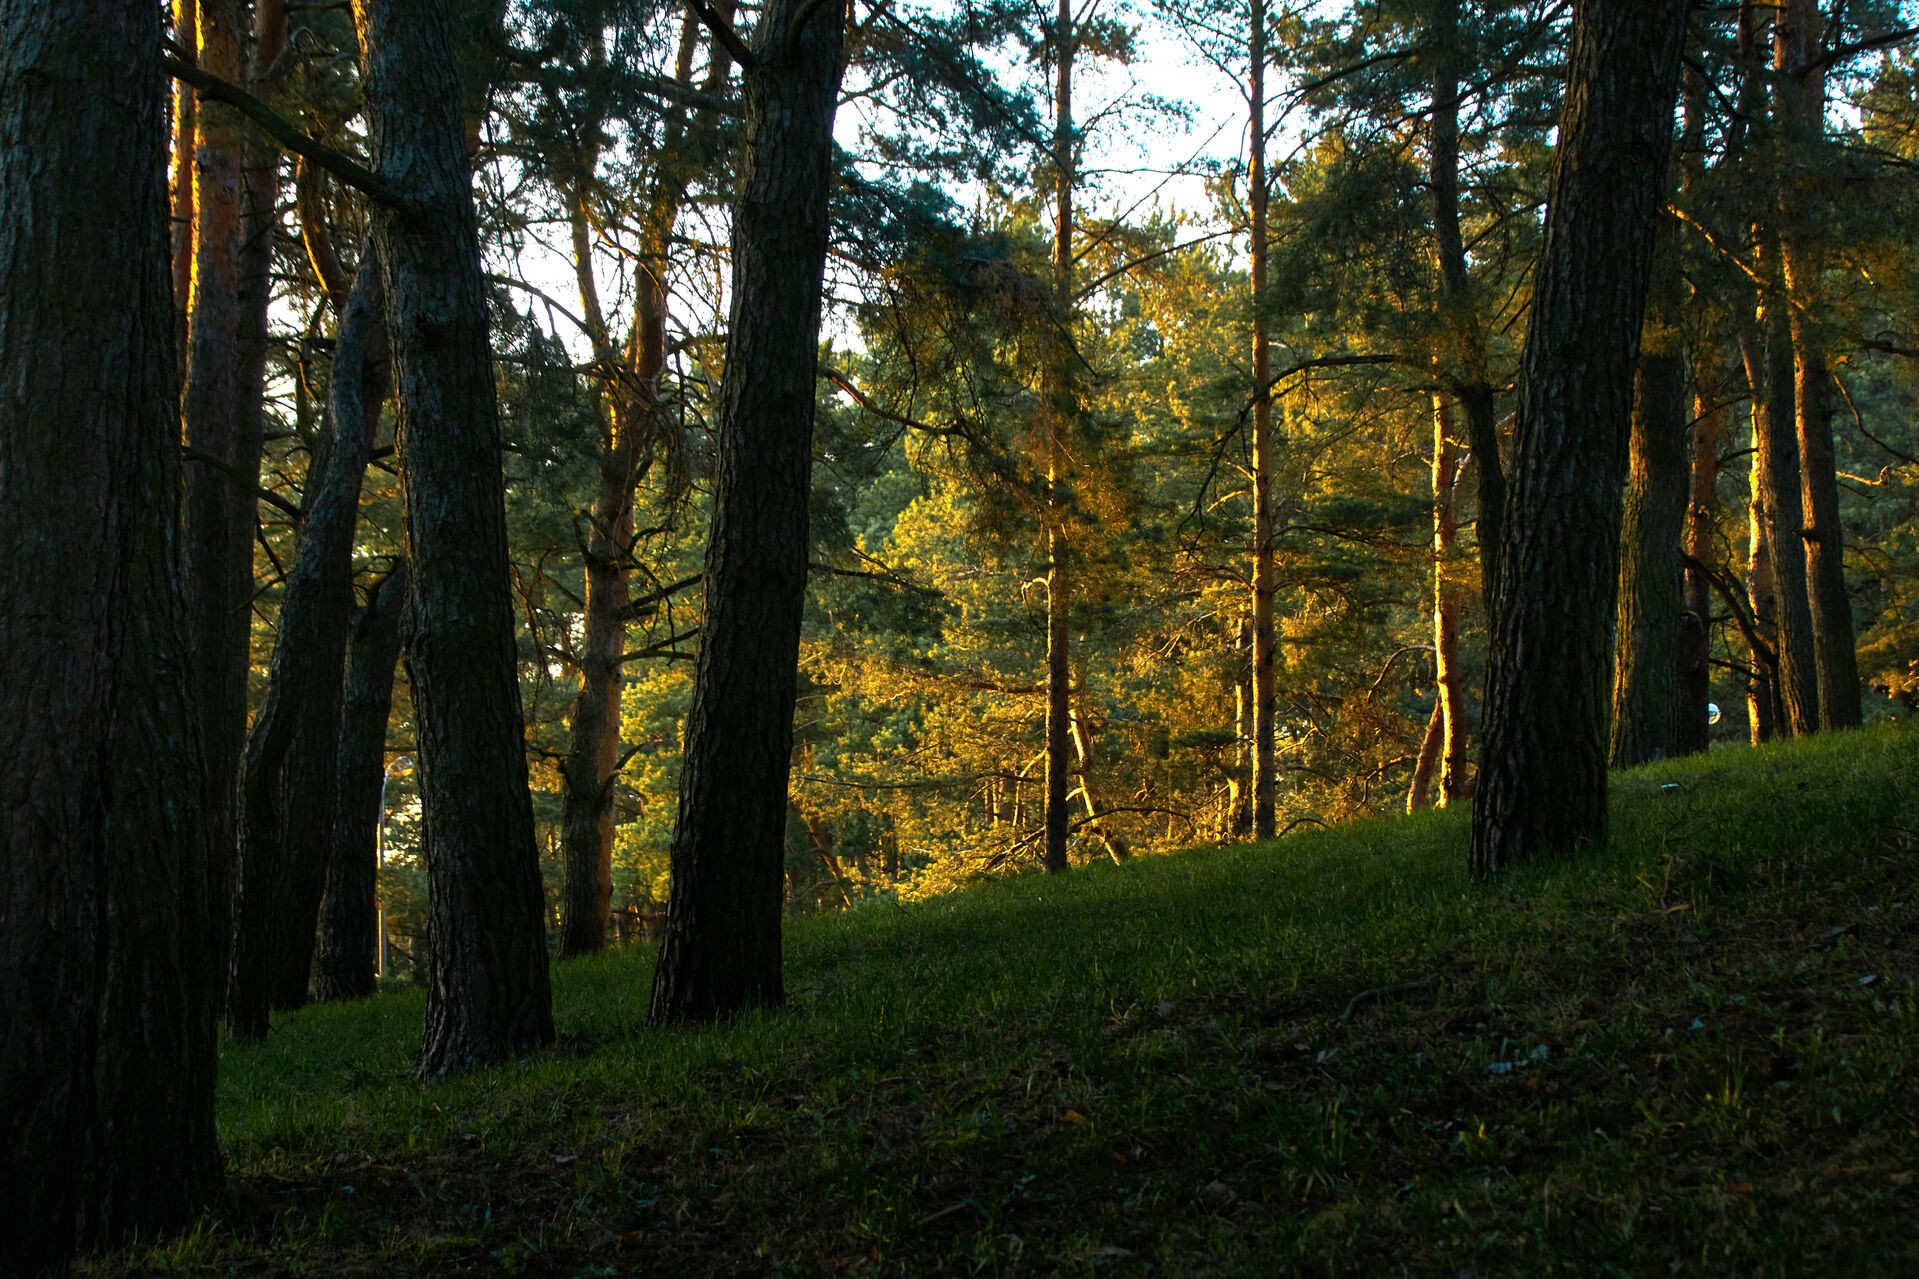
(1266, 631)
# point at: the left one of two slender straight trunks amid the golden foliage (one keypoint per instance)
(1056, 418)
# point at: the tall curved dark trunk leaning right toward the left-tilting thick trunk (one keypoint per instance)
(289, 777)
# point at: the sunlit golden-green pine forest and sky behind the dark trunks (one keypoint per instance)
(604, 155)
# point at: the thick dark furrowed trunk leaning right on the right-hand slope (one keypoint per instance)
(1544, 773)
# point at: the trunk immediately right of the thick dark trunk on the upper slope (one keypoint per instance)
(1646, 690)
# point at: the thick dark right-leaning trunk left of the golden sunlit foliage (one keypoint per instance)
(723, 929)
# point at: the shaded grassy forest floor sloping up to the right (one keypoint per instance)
(1692, 1053)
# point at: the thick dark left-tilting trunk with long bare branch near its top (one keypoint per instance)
(488, 992)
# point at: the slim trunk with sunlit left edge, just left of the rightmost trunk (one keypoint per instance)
(1776, 471)
